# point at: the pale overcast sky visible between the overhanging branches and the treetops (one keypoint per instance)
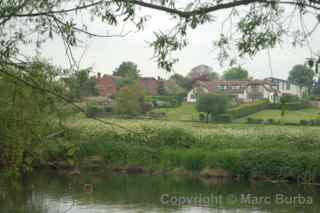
(105, 54)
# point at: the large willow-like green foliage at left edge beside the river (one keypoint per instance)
(28, 115)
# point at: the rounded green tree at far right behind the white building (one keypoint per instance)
(301, 75)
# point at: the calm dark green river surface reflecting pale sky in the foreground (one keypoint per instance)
(94, 193)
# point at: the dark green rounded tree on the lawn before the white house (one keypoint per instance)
(212, 104)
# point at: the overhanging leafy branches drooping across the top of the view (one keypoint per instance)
(261, 26)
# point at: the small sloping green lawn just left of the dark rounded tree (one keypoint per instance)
(185, 112)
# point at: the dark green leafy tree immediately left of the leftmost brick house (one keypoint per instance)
(81, 84)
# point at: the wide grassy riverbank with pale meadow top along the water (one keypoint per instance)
(268, 152)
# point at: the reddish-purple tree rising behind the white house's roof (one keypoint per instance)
(202, 72)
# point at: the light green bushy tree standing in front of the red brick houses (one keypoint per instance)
(130, 99)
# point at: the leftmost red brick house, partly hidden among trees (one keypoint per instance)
(106, 85)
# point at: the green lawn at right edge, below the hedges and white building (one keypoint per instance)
(290, 116)
